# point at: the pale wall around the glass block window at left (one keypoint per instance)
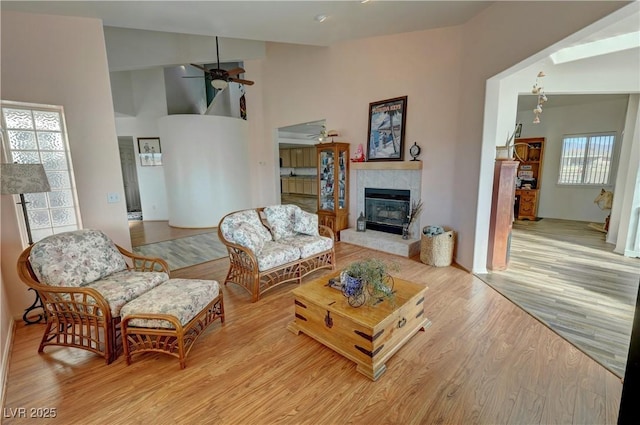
(62, 61)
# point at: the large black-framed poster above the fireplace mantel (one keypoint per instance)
(386, 129)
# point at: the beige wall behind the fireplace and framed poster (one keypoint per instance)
(339, 82)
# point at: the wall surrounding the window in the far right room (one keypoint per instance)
(573, 202)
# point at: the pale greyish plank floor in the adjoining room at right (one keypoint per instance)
(565, 274)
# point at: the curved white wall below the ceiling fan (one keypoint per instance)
(206, 162)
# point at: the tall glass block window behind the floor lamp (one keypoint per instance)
(36, 134)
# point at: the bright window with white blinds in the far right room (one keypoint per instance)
(586, 159)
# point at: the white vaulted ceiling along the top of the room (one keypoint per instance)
(279, 21)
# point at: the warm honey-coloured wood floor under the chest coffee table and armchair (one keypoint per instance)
(483, 360)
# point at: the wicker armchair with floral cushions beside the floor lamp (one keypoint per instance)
(83, 280)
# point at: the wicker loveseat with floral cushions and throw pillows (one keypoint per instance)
(273, 245)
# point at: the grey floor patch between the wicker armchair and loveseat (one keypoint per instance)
(187, 251)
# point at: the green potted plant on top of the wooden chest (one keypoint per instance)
(368, 280)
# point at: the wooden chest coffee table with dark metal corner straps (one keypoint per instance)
(368, 335)
